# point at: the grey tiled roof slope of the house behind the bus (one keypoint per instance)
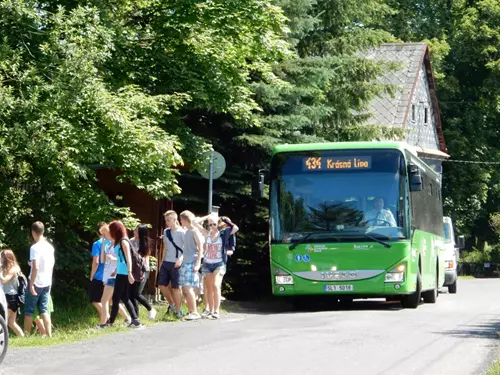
(390, 110)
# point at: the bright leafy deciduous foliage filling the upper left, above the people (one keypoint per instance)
(89, 85)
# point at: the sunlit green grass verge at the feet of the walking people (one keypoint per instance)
(71, 325)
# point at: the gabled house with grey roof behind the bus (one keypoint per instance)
(413, 107)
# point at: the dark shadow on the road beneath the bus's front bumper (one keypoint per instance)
(279, 306)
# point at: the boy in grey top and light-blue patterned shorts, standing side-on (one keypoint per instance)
(193, 252)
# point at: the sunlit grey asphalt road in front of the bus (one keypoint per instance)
(455, 336)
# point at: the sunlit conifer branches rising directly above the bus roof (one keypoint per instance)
(323, 90)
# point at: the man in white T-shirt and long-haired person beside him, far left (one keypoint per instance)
(33, 291)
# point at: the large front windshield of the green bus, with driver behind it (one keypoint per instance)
(342, 195)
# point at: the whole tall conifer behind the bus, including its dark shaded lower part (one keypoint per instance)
(315, 94)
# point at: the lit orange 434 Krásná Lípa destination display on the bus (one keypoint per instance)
(322, 163)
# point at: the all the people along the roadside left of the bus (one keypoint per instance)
(196, 253)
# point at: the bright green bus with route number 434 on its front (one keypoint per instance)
(355, 220)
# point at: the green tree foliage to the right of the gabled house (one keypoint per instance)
(464, 42)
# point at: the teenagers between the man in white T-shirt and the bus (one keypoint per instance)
(120, 267)
